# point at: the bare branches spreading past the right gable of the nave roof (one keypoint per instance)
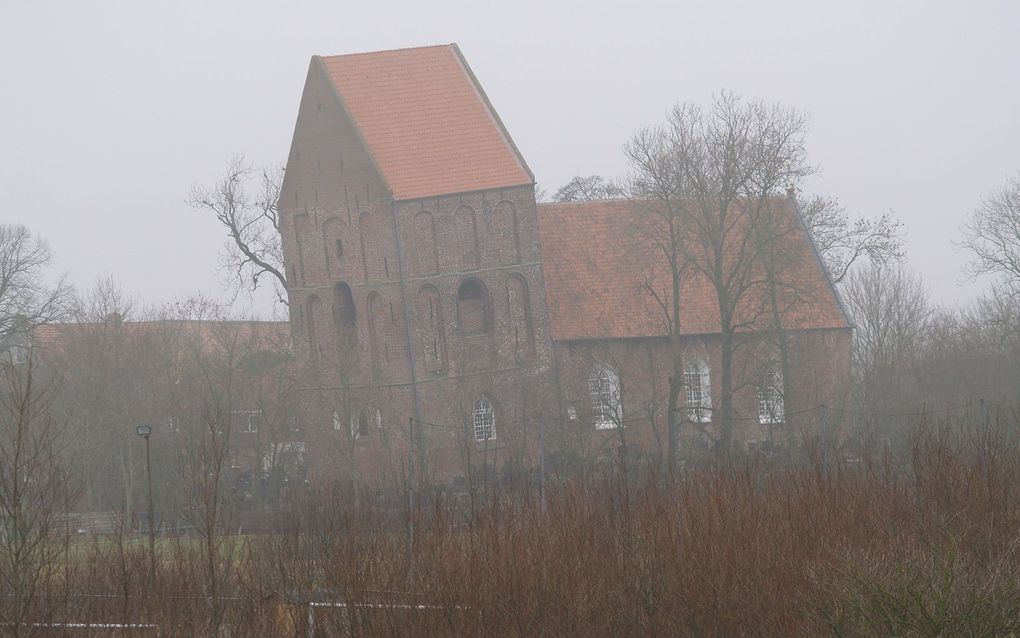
(844, 242)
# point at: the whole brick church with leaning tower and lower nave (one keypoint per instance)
(443, 319)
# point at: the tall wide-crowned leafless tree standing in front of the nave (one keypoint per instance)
(713, 173)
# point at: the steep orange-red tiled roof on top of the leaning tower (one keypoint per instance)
(426, 122)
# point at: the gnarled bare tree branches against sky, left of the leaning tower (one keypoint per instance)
(244, 203)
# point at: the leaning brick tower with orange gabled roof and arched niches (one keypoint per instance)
(411, 234)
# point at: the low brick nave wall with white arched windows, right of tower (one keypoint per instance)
(821, 376)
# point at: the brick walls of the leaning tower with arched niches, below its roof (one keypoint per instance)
(463, 259)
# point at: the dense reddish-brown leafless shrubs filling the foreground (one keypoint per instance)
(923, 546)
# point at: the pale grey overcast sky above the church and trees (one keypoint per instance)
(111, 112)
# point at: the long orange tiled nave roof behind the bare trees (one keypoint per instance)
(596, 268)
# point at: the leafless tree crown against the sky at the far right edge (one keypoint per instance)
(992, 235)
